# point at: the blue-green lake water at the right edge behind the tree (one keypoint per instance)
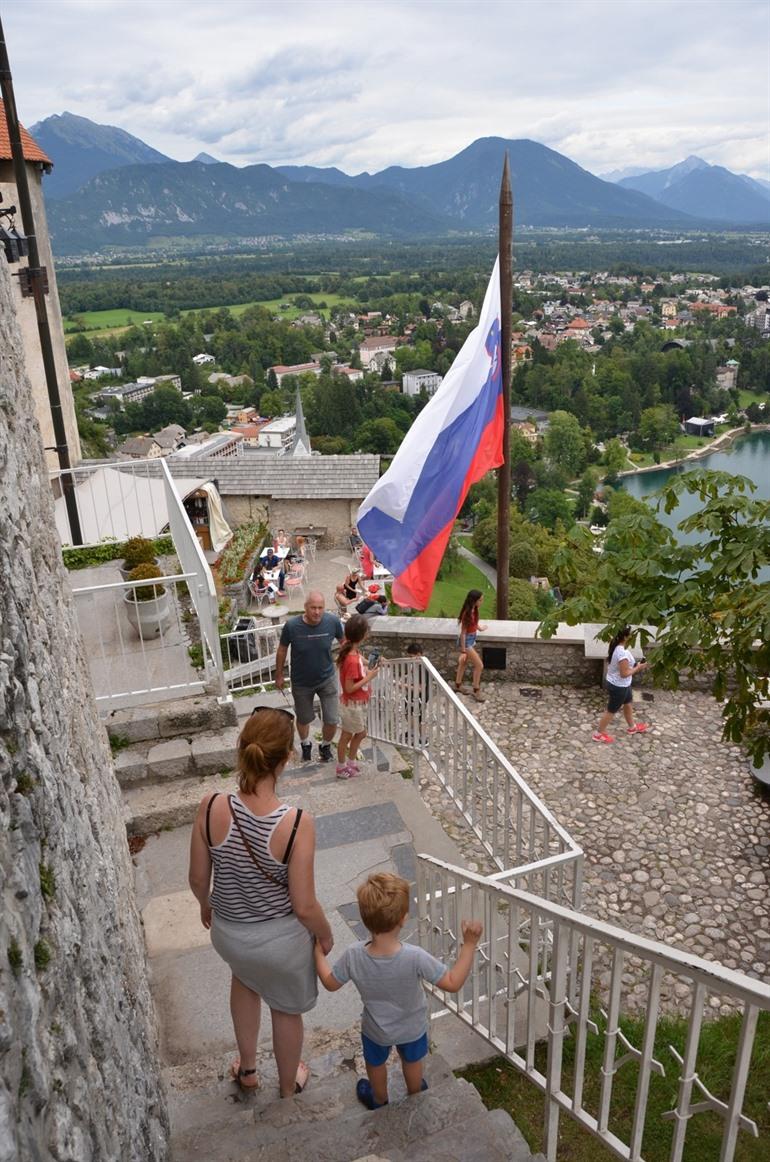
(747, 457)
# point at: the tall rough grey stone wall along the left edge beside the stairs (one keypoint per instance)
(80, 1073)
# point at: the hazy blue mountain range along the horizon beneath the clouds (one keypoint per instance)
(111, 189)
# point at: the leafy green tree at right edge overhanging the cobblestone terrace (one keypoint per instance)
(709, 611)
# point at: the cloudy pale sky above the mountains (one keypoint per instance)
(364, 84)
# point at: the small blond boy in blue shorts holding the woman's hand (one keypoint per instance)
(388, 975)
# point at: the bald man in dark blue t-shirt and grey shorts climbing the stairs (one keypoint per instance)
(312, 637)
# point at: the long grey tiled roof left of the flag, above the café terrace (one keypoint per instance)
(289, 478)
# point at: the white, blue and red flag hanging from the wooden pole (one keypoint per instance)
(457, 439)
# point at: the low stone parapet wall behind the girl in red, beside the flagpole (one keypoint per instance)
(560, 662)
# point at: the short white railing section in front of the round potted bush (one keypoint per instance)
(131, 665)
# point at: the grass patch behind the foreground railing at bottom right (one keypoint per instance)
(502, 1087)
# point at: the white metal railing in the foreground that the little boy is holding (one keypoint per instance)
(539, 973)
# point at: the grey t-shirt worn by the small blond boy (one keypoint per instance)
(395, 1010)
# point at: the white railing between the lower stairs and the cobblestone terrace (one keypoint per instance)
(413, 707)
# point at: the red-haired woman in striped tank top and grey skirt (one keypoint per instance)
(262, 910)
